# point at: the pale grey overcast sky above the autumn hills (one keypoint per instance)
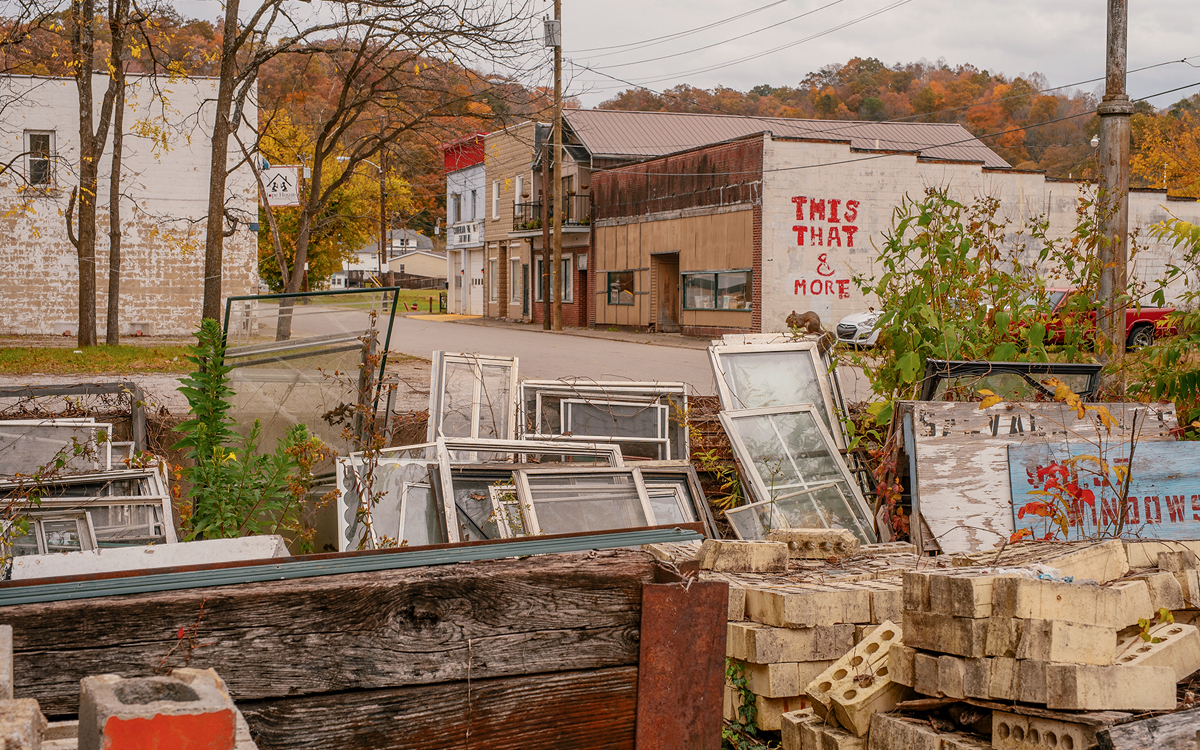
(1063, 40)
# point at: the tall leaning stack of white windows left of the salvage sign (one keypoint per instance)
(784, 417)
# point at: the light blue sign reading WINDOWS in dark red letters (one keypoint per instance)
(1070, 493)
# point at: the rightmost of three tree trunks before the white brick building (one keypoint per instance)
(214, 239)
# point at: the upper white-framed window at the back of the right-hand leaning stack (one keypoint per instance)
(758, 376)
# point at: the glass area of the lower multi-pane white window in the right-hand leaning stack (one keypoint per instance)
(789, 454)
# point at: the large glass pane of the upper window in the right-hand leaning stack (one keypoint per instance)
(759, 380)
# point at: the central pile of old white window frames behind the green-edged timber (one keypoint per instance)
(471, 482)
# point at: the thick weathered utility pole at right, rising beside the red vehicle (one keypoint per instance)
(1115, 111)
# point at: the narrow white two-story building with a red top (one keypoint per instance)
(464, 163)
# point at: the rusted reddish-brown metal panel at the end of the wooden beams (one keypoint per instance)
(681, 673)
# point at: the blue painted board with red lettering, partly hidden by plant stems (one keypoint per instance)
(1163, 500)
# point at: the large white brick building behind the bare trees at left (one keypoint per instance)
(166, 195)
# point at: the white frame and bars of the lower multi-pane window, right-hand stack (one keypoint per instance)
(758, 487)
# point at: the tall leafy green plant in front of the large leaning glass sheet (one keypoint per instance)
(236, 490)
